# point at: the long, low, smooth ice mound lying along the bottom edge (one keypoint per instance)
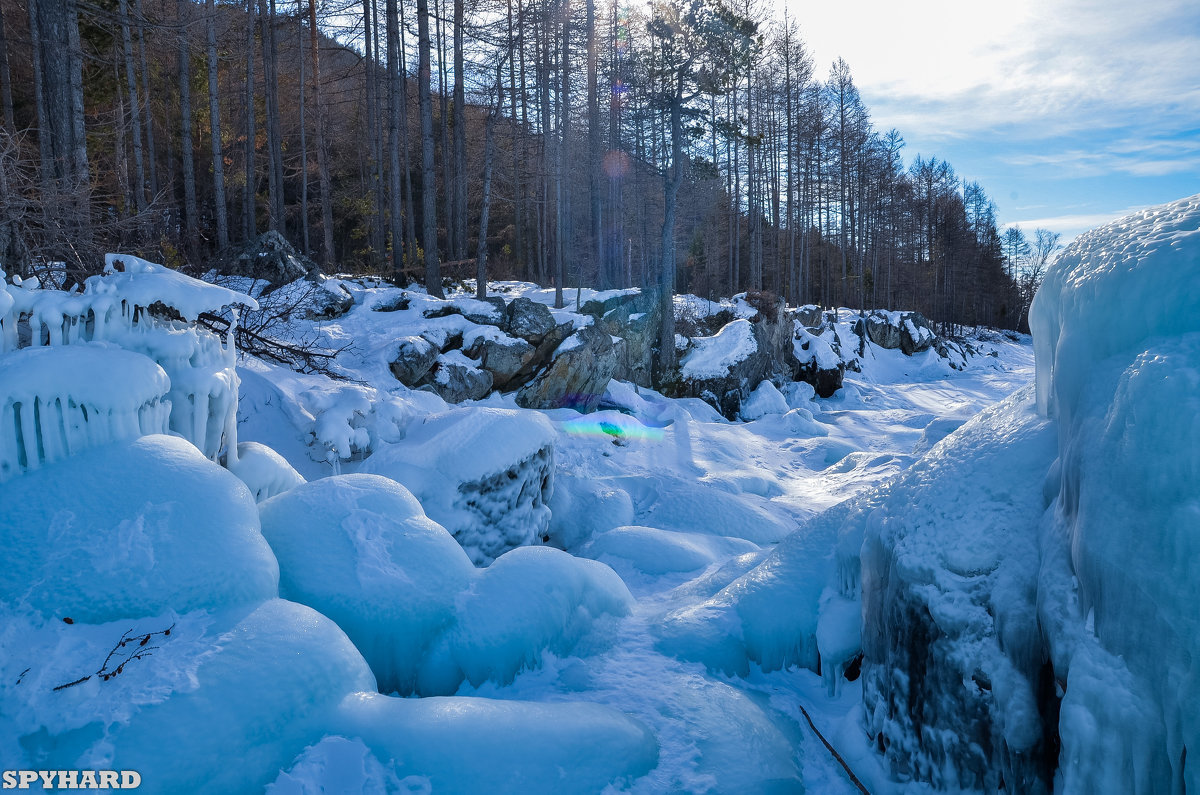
(471, 745)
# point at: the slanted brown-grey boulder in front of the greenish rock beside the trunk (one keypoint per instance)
(578, 374)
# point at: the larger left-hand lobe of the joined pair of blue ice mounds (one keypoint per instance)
(361, 549)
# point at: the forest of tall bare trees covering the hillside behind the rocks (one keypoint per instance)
(674, 146)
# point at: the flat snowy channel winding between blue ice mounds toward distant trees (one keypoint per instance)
(728, 734)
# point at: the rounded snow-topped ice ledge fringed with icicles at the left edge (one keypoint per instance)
(59, 403)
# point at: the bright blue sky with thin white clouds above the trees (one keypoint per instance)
(1070, 113)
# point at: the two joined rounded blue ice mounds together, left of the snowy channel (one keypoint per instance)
(361, 549)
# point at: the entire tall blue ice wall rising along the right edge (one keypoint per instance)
(1118, 333)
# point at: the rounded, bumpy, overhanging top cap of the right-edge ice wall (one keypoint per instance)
(1113, 289)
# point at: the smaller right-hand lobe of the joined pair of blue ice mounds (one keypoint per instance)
(531, 601)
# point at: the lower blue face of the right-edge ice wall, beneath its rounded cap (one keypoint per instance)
(1123, 590)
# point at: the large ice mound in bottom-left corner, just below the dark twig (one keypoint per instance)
(247, 691)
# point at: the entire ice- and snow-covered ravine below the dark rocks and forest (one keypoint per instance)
(964, 581)
